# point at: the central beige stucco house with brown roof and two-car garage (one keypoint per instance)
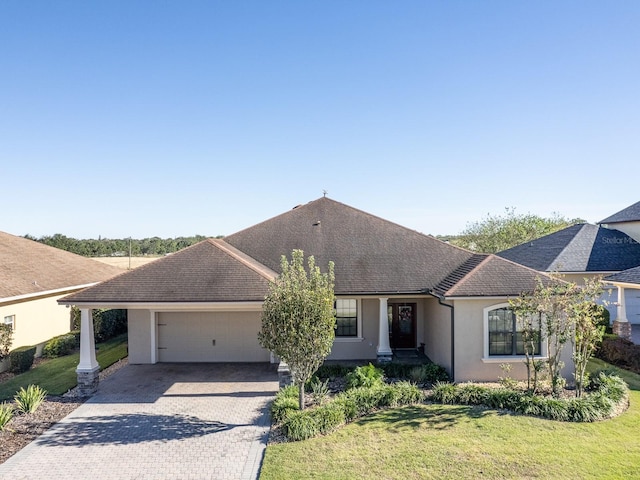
(396, 289)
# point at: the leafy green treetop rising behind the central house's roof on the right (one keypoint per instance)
(500, 232)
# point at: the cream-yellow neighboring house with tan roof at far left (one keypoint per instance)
(33, 277)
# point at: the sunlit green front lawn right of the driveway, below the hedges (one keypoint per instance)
(452, 441)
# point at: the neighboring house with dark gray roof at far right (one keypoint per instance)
(585, 250)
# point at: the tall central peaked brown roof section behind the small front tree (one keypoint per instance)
(371, 255)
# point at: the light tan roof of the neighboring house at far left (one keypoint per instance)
(28, 267)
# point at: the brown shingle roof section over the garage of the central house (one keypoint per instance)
(209, 271)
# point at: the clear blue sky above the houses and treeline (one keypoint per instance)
(175, 118)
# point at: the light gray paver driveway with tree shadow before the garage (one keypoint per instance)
(164, 421)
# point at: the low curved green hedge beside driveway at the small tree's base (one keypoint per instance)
(347, 406)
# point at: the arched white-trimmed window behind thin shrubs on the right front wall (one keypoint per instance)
(506, 333)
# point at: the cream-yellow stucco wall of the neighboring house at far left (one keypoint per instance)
(37, 320)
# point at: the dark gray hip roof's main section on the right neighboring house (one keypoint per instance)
(578, 248)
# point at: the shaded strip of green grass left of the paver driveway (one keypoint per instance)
(58, 375)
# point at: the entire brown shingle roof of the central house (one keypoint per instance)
(371, 256)
